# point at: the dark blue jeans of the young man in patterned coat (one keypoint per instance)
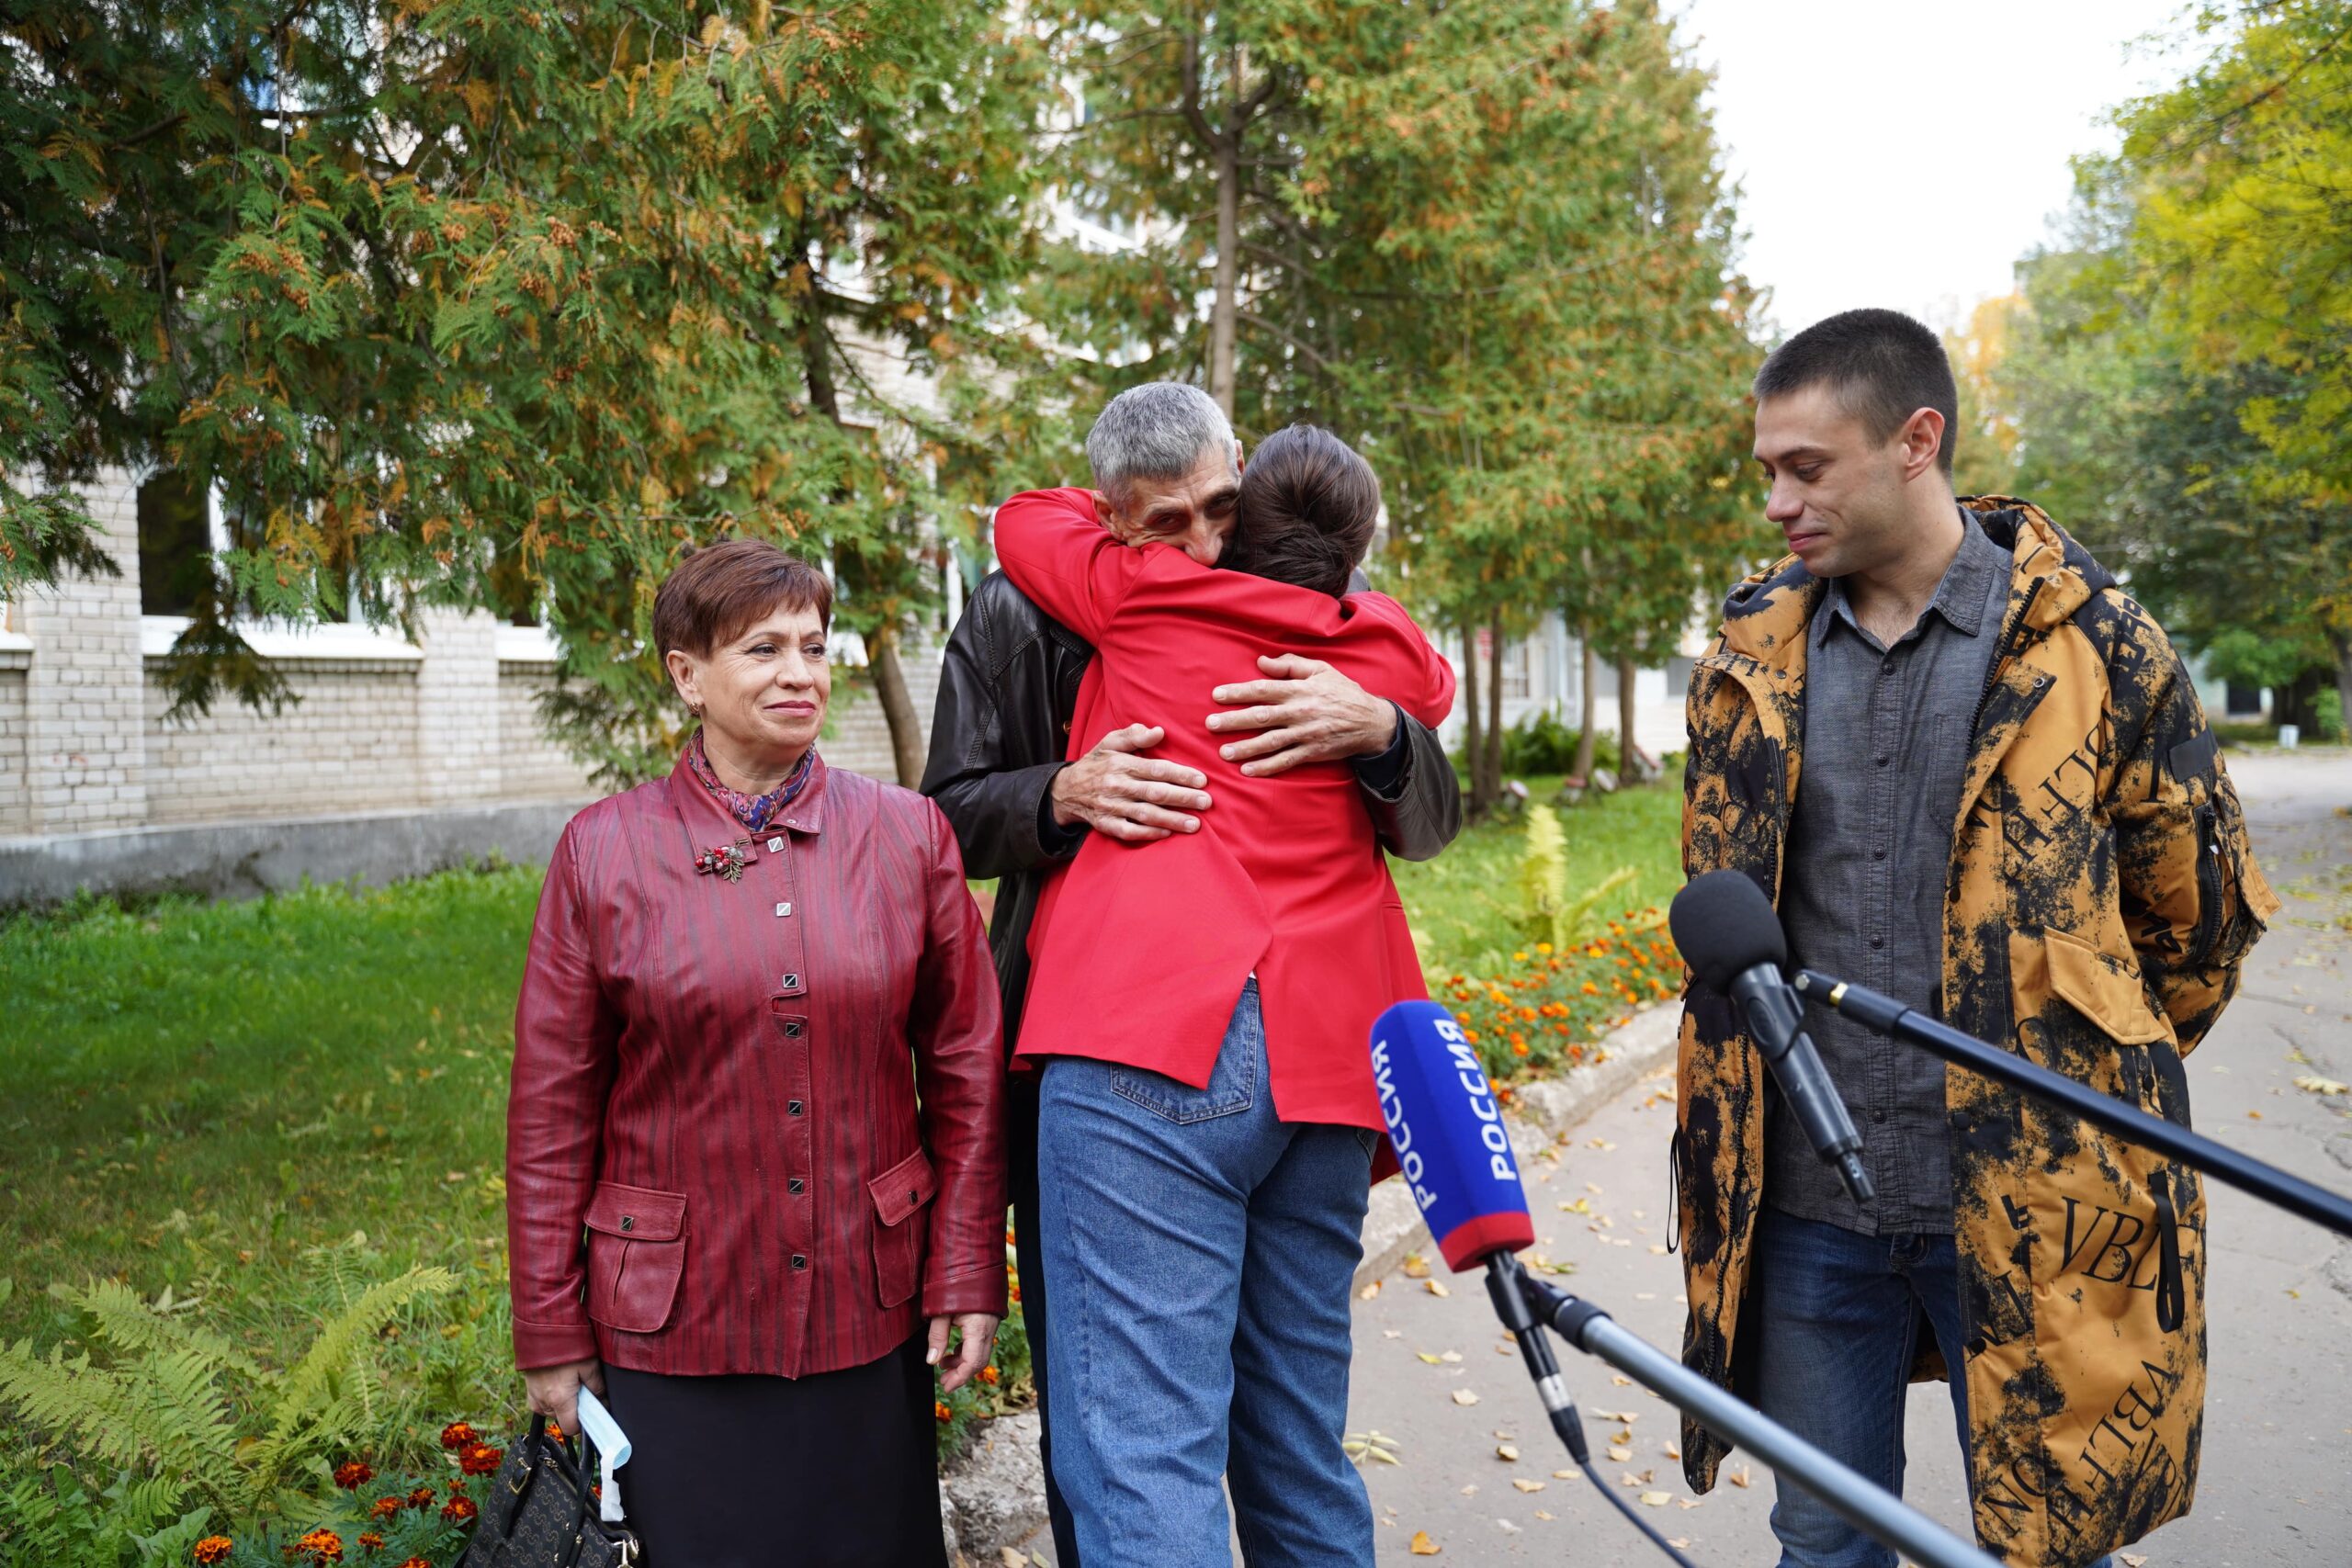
(1838, 1318)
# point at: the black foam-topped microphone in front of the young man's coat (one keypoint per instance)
(1732, 942)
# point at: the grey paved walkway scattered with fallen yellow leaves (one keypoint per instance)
(2278, 1445)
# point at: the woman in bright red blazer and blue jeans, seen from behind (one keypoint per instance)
(1203, 1010)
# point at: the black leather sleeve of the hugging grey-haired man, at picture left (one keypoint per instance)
(996, 810)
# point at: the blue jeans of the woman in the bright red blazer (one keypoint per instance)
(1198, 1254)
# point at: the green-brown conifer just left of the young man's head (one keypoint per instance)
(1535, 319)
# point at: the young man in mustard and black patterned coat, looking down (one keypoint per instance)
(1972, 775)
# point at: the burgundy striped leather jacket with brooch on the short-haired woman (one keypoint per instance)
(719, 1085)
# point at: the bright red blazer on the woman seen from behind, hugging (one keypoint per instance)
(1142, 949)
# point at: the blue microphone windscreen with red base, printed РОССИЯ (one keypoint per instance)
(1448, 1132)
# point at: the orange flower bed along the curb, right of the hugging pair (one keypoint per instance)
(1551, 1005)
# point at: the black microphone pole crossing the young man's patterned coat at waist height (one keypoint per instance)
(2219, 1160)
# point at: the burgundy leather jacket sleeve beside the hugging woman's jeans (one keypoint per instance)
(961, 1080)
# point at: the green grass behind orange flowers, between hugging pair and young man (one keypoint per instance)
(1466, 904)
